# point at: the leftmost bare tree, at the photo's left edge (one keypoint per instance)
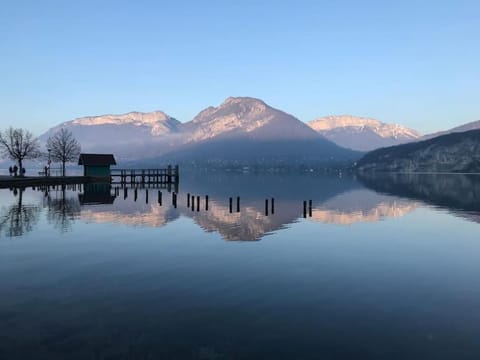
(19, 145)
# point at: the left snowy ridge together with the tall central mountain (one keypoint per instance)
(240, 129)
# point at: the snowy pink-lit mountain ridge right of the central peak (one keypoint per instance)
(361, 133)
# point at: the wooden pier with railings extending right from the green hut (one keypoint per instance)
(165, 176)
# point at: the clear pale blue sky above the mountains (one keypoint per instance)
(411, 62)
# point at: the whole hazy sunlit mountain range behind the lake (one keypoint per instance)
(240, 130)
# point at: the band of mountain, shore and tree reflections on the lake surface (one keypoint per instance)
(335, 200)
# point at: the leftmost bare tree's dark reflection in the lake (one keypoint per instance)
(18, 219)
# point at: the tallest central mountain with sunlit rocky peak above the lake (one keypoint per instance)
(247, 131)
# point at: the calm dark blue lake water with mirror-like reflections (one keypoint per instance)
(384, 268)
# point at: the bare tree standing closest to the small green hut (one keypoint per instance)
(63, 147)
